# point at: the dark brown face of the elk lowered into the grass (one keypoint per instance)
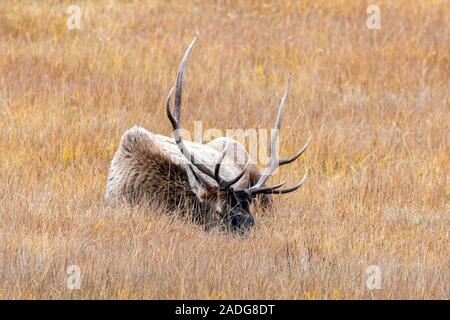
(235, 210)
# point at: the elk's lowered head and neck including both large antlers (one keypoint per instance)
(216, 194)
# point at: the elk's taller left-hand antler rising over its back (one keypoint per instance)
(175, 121)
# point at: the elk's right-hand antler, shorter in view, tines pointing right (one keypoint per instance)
(274, 161)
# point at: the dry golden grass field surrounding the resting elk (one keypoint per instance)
(375, 101)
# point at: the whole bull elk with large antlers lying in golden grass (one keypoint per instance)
(204, 180)
